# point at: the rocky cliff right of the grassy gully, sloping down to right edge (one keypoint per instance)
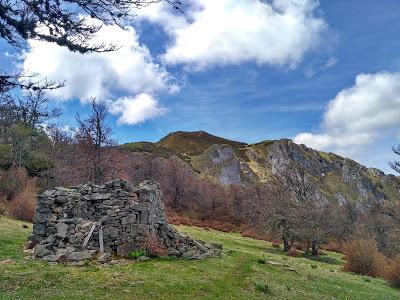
(343, 179)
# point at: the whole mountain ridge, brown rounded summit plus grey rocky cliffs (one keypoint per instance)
(233, 162)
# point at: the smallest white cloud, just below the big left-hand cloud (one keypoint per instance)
(137, 109)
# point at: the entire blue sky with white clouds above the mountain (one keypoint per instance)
(323, 73)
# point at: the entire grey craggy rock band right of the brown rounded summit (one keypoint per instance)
(342, 179)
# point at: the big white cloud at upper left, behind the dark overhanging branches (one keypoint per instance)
(130, 69)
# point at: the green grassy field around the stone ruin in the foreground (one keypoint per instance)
(245, 264)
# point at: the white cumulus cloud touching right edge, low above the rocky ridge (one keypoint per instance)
(358, 115)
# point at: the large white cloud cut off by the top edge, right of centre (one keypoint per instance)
(278, 32)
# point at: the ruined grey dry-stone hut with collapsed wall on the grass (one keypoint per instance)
(89, 221)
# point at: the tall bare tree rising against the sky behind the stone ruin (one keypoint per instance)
(93, 135)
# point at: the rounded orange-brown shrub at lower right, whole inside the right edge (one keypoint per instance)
(363, 257)
